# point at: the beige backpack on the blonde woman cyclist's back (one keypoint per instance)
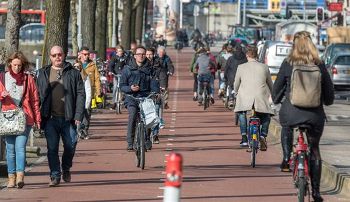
(305, 86)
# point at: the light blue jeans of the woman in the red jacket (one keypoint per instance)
(16, 151)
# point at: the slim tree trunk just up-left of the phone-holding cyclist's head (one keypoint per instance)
(126, 26)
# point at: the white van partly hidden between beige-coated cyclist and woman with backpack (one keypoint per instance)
(272, 54)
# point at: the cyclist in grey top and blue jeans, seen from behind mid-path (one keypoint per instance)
(204, 65)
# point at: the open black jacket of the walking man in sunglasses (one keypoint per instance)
(74, 93)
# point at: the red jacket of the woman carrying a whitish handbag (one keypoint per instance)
(30, 101)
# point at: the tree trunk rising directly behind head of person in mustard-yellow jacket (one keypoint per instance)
(88, 23)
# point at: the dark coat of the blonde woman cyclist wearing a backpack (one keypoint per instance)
(289, 114)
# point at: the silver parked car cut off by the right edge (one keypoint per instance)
(339, 70)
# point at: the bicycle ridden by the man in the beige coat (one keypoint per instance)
(253, 137)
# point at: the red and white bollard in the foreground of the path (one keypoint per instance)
(173, 178)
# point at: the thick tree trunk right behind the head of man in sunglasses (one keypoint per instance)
(56, 30)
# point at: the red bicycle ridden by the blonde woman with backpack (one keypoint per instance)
(300, 165)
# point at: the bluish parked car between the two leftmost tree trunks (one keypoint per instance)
(32, 32)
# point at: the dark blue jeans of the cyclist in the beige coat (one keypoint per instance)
(264, 121)
